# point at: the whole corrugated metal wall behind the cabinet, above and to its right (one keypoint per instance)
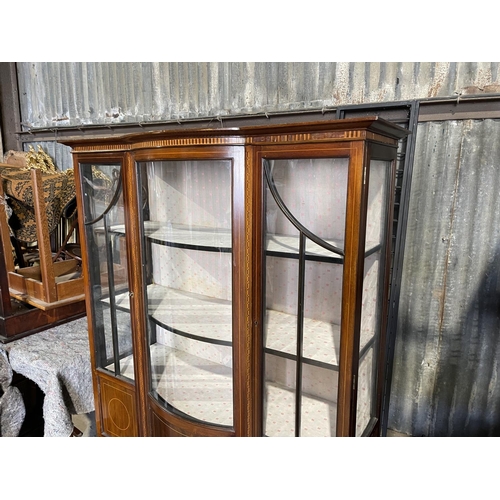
(445, 379)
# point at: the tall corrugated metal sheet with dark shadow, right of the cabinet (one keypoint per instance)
(446, 379)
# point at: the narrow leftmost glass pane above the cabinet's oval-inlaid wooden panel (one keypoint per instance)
(107, 255)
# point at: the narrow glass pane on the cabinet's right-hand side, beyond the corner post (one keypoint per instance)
(373, 289)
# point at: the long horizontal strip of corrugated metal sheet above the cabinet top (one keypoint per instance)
(78, 93)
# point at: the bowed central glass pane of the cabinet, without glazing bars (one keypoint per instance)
(186, 214)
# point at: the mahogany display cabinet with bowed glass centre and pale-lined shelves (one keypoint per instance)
(237, 280)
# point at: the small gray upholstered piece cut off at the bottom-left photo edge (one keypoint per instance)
(12, 409)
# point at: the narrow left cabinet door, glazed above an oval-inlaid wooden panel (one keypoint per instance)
(101, 192)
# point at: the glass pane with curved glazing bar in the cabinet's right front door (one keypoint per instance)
(305, 209)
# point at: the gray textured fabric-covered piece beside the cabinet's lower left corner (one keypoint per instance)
(58, 361)
